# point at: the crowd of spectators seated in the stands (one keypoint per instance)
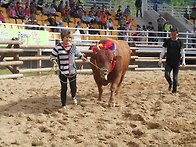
(97, 17)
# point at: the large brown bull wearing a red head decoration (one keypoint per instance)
(110, 60)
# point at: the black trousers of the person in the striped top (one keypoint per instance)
(72, 83)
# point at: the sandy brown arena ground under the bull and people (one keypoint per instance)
(147, 113)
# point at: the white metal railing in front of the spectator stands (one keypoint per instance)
(131, 36)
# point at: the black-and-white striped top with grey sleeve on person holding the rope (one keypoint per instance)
(66, 59)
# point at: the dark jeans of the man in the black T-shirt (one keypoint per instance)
(168, 69)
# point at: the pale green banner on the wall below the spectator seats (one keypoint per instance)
(28, 37)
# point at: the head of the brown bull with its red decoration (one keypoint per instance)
(104, 59)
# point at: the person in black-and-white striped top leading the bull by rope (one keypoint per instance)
(63, 56)
